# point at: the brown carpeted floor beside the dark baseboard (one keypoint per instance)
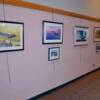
(86, 88)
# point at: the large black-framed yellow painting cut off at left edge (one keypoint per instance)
(11, 36)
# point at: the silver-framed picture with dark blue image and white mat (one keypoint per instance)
(81, 35)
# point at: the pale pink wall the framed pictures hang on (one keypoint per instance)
(30, 71)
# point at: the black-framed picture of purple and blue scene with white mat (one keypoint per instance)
(52, 32)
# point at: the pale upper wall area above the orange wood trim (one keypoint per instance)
(86, 7)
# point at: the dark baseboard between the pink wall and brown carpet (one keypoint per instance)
(61, 86)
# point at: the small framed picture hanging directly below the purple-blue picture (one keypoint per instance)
(53, 53)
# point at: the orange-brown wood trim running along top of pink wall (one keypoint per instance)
(24, 4)
